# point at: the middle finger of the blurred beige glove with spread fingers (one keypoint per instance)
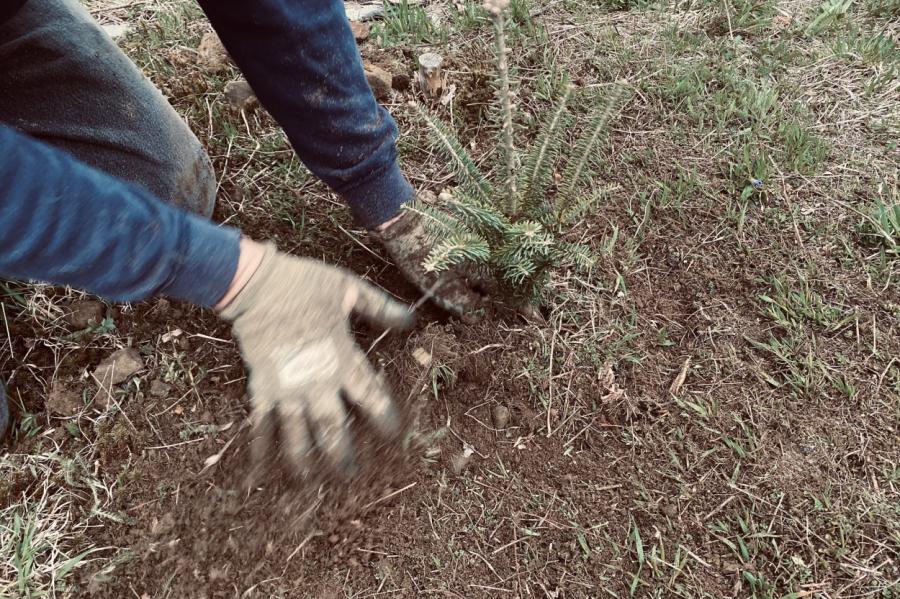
(330, 428)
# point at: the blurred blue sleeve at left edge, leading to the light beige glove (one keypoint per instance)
(66, 223)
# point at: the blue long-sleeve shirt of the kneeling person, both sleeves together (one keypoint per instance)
(63, 222)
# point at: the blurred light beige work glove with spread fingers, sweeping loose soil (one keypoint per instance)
(291, 322)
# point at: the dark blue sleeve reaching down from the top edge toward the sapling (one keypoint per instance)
(301, 60)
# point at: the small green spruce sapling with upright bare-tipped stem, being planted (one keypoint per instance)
(515, 229)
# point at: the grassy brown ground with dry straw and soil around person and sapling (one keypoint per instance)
(712, 412)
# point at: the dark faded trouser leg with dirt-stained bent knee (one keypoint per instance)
(66, 83)
